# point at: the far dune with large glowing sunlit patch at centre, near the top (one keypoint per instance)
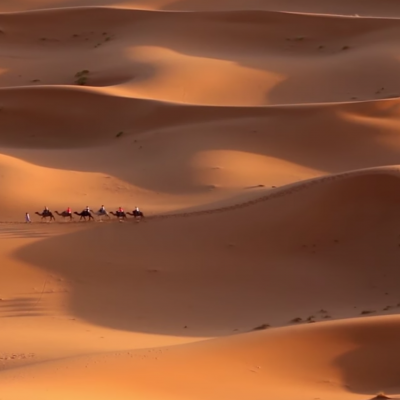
(252, 58)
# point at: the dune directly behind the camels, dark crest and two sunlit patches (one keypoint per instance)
(237, 150)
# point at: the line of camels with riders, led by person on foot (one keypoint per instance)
(87, 214)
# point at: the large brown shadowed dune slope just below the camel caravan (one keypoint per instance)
(229, 271)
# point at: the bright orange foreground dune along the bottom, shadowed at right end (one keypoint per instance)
(318, 360)
